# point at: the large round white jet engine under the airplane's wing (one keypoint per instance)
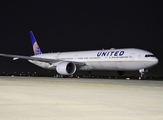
(66, 68)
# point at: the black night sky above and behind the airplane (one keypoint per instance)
(76, 26)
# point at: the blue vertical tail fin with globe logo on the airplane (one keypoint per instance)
(35, 46)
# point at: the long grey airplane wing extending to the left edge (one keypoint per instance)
(15, 57)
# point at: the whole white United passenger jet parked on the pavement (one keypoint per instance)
(66, 63)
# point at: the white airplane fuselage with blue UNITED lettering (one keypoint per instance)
(110, 59)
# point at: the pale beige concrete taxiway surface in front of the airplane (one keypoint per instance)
(40, 98)
